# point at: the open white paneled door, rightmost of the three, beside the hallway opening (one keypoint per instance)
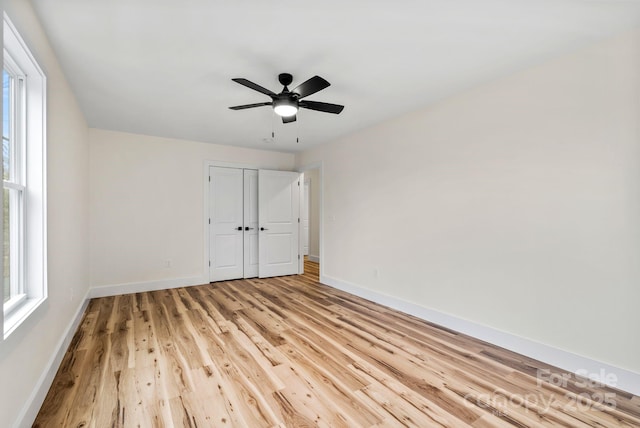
(279, 215)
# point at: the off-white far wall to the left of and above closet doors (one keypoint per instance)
(147, 205)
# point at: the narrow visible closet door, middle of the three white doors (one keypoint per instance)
(250, 223)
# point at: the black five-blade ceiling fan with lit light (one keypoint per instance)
(287, 103)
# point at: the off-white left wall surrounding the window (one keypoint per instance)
(27, 354)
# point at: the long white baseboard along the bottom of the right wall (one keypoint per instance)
(622, 379)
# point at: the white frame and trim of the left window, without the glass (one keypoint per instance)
(27, 183)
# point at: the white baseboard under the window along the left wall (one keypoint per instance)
(32, 406)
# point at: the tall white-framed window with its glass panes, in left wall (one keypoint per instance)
(23, 173)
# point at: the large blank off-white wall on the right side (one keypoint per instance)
(514, 205)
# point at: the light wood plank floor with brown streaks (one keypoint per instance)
(292, 352)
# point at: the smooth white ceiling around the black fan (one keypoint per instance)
(164, 67)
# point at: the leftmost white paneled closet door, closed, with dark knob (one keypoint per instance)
(226, 230)
